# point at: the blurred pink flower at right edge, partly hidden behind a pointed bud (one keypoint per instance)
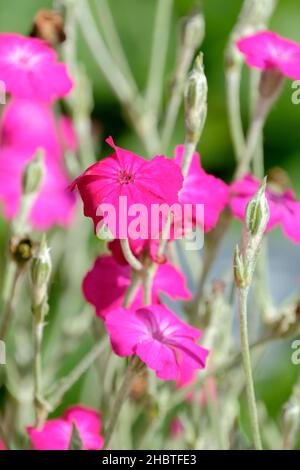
(284, 208)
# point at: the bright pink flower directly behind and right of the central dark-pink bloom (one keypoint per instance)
(201, 188)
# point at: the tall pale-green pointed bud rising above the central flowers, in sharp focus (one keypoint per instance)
(195, 101)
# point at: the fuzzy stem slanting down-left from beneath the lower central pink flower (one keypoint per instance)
(120, 398)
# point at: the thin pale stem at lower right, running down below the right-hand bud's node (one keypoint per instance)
(242, 305)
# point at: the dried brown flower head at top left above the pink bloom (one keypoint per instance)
(49, 26)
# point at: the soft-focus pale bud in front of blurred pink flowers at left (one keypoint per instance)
(33, 174)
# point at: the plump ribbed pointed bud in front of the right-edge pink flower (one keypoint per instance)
(257, 212)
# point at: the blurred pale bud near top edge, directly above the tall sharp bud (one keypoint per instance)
(193, 30)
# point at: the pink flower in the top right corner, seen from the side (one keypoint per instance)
(267, 50)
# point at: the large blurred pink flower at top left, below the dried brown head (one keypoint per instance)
(29, 69)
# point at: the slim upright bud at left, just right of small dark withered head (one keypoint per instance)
(40, 273)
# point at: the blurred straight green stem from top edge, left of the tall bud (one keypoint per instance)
(158, 55)
